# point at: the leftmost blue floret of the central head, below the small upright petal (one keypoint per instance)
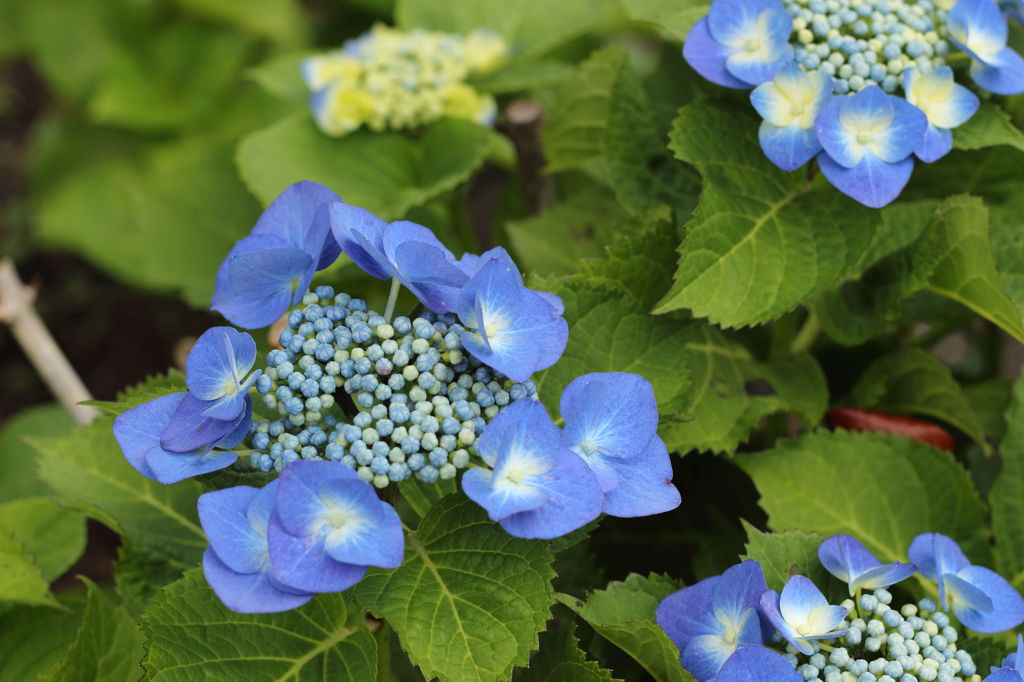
(140, 433)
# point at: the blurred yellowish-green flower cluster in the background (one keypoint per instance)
(390, 79)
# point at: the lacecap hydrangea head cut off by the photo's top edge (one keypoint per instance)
(861, 86)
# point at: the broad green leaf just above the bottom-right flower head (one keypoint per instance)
(882, 490)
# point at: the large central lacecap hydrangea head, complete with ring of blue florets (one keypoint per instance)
(354, 401)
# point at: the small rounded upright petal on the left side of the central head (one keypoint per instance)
(220, 359)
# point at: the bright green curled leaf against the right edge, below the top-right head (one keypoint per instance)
(965, 267)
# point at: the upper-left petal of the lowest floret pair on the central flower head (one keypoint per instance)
(225, 517)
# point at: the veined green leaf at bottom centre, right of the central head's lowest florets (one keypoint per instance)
(470, 601)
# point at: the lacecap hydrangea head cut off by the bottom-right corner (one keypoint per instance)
(732, 628)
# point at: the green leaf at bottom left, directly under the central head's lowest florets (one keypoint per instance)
(191, 635)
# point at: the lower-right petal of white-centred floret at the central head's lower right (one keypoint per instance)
(574, 500)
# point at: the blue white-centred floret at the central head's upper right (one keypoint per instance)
(509, 327)
